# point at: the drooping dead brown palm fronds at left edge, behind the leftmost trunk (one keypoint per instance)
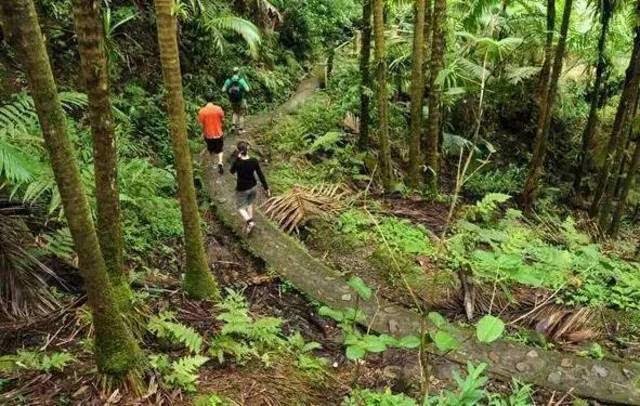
(23, 278)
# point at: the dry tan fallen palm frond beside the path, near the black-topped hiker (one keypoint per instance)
(301, 203)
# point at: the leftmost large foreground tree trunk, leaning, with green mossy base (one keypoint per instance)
(116, 351)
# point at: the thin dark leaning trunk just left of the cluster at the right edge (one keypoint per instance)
(592, 121)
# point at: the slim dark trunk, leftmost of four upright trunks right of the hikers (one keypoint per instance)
(365, 75)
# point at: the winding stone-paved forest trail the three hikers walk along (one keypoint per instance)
(608, 381)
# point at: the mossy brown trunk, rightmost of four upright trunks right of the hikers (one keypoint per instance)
(432, 153)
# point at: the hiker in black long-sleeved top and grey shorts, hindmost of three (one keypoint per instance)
(246, 168)
